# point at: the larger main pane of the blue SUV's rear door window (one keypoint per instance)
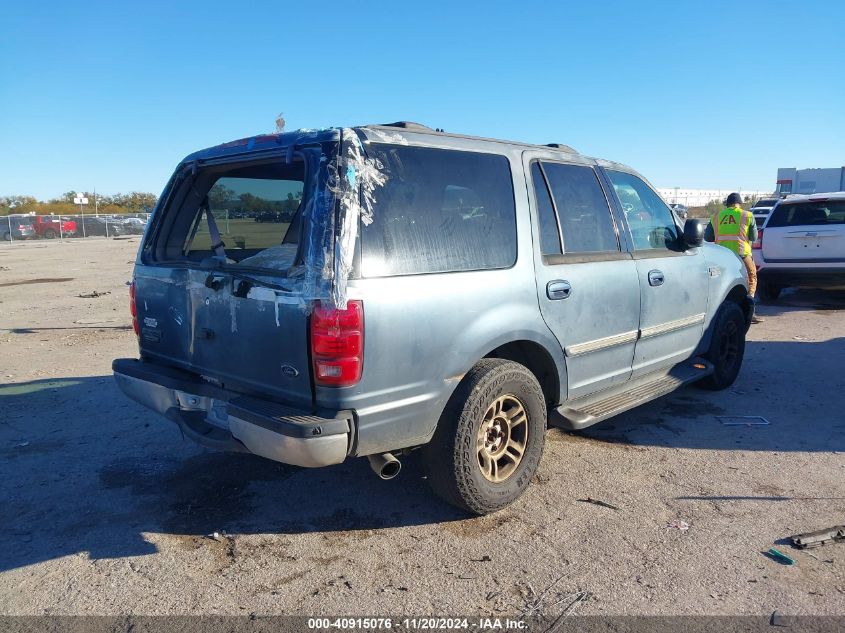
(585, 220)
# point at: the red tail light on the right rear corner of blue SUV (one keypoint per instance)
(337, 344)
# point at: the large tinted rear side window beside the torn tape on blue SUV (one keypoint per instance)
(439, 211)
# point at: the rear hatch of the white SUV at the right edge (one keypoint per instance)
(806, 231)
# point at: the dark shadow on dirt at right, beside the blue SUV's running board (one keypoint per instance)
(795, 386)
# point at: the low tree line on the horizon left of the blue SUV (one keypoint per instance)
(133, 202)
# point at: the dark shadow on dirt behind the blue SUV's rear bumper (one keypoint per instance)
(82, 469)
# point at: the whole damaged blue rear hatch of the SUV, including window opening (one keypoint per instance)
(236, 313)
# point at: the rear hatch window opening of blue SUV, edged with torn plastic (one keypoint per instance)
(257, 207)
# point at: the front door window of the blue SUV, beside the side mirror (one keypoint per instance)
(650, 220)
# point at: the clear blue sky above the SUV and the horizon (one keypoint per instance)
(693, 94)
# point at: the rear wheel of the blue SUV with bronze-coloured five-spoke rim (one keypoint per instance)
(490, 438)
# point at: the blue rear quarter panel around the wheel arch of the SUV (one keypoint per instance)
(424, 332)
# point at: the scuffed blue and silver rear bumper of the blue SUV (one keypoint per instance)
(229, 421)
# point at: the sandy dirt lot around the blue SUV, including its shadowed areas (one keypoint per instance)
(105, 509)
